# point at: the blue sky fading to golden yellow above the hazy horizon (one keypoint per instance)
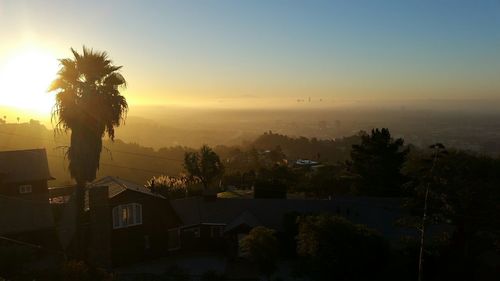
(192, 52)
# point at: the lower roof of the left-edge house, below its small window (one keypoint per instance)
(22, 215)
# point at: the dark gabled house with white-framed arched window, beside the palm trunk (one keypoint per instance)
(126, 222)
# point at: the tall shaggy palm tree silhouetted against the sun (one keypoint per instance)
(90, 105)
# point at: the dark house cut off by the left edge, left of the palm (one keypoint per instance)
(25, 212)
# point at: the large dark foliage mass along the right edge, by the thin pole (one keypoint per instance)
(463, 191)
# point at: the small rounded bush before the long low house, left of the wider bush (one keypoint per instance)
(262, 247)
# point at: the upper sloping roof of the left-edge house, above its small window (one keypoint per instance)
(24, 165)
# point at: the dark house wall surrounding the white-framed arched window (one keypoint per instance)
(147, 240)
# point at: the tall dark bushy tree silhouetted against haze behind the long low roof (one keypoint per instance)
(378, 161)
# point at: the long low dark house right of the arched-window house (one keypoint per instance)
(220, 224)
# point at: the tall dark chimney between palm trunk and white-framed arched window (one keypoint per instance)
(99, 248)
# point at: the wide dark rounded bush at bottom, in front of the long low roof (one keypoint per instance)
(334, 248)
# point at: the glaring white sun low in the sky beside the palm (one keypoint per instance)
(25, 78)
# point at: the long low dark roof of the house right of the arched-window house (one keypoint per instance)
(377, 213)
